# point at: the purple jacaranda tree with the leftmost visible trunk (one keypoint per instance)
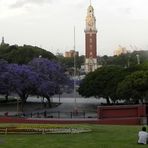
(23, 81)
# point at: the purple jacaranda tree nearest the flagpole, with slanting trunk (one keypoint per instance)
(51, 75)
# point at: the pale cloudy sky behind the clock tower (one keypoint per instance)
(50, 24)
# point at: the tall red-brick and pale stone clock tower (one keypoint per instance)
(90, 41)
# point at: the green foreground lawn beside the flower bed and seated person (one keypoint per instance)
(102, 136)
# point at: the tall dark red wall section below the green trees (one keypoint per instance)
(123, 114)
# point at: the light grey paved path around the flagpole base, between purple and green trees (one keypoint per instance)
(69, 107)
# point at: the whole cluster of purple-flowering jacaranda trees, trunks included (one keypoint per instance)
(40, 77)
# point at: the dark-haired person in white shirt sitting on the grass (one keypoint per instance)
(143, 136)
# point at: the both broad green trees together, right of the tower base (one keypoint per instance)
(117, 83)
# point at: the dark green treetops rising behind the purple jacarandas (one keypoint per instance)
(23, 54)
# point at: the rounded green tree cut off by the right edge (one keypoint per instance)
(134, 88)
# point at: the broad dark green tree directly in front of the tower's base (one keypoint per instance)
(102, 83)
